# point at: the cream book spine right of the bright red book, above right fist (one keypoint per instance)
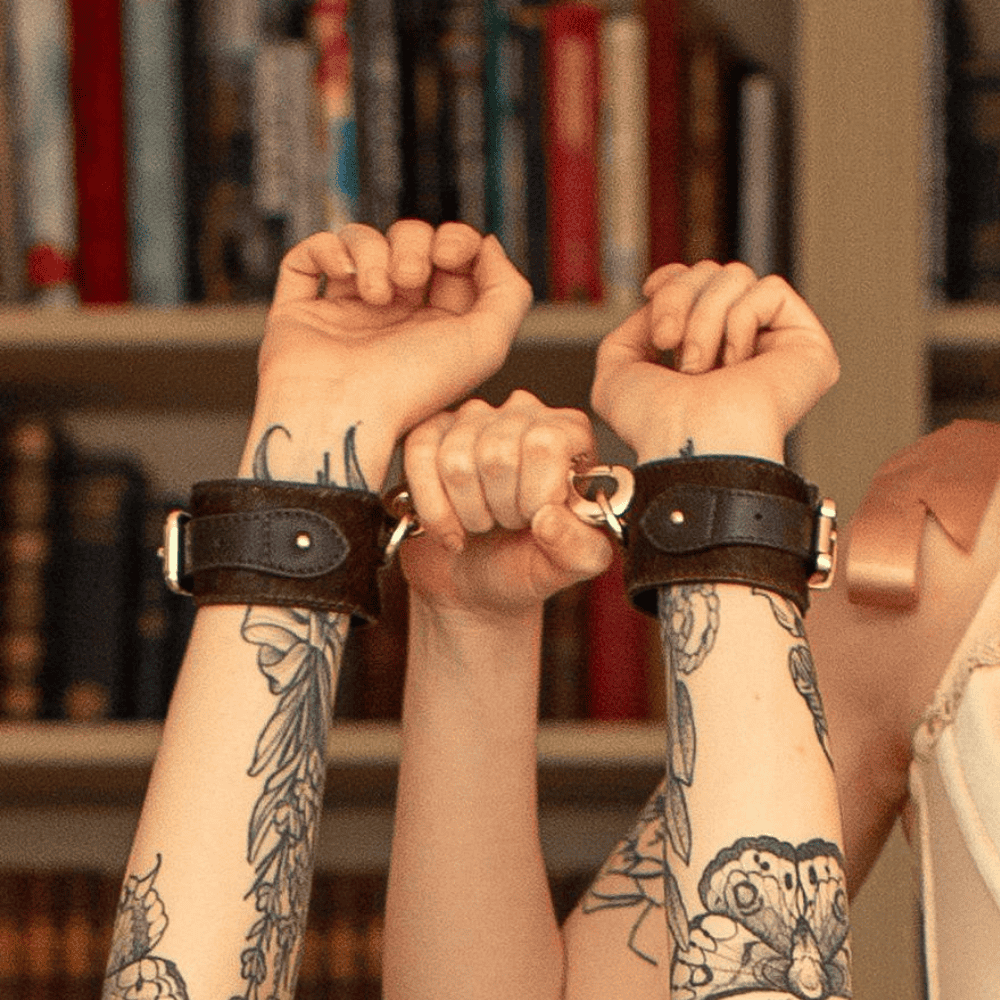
(624, 184)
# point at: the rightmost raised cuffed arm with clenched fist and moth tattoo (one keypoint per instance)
(733, 879)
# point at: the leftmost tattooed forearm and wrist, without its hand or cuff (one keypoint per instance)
(227, 835)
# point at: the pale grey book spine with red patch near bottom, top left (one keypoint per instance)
(40, 43)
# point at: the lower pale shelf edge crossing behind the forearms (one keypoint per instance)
(578, 745)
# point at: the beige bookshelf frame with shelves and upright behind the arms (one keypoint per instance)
(857, 73)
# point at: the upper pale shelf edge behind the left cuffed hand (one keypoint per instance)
(238, 326)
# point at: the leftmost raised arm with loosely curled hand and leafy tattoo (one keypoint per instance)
(367, 335)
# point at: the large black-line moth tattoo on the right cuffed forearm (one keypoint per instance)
(775, 918)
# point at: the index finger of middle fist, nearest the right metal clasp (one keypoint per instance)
(548, 449)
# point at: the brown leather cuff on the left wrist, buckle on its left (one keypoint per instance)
(285, 544)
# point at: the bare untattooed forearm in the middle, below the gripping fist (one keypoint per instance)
(469, 911)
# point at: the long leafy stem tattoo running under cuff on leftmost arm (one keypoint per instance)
(299, 653)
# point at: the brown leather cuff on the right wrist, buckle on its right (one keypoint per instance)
(726, 519)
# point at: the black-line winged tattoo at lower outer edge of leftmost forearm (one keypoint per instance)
(140, 921)
